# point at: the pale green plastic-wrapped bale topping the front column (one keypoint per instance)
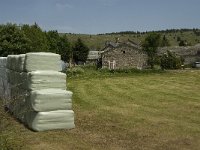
(42, 61)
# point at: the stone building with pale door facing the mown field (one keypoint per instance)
(123, 56)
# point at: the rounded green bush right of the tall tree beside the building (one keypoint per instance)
(170, 60)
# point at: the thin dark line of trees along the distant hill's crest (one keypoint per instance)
(195, 30)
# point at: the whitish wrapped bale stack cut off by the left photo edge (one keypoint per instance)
(3, 78)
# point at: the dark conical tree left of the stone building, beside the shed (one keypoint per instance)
(80, 51)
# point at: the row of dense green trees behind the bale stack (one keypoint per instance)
(25, 38)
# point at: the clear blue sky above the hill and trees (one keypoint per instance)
(102, 16)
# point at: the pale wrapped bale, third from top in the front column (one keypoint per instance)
(49, 100)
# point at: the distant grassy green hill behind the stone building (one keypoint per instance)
(97, 42)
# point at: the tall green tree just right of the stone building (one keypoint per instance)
(150, 46)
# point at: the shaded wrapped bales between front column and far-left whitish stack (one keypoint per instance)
(16, 100)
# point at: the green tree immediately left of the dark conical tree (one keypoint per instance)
(64, 49)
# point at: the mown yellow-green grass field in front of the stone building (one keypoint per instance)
(133, 111)
